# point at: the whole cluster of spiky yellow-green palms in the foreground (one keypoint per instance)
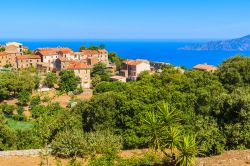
(165, 132)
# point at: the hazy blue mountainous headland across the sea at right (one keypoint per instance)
(240, 44)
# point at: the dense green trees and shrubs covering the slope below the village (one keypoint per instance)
(180, 115)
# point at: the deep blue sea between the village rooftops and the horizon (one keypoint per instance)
(154, 50)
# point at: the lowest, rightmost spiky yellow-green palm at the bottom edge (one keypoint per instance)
(188, 150)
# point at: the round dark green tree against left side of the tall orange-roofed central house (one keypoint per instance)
(68, 81)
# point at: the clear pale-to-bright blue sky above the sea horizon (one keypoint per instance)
(124, 19)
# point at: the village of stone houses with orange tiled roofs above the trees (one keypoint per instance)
(15, 56)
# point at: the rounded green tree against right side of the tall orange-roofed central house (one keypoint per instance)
(101, 70)
